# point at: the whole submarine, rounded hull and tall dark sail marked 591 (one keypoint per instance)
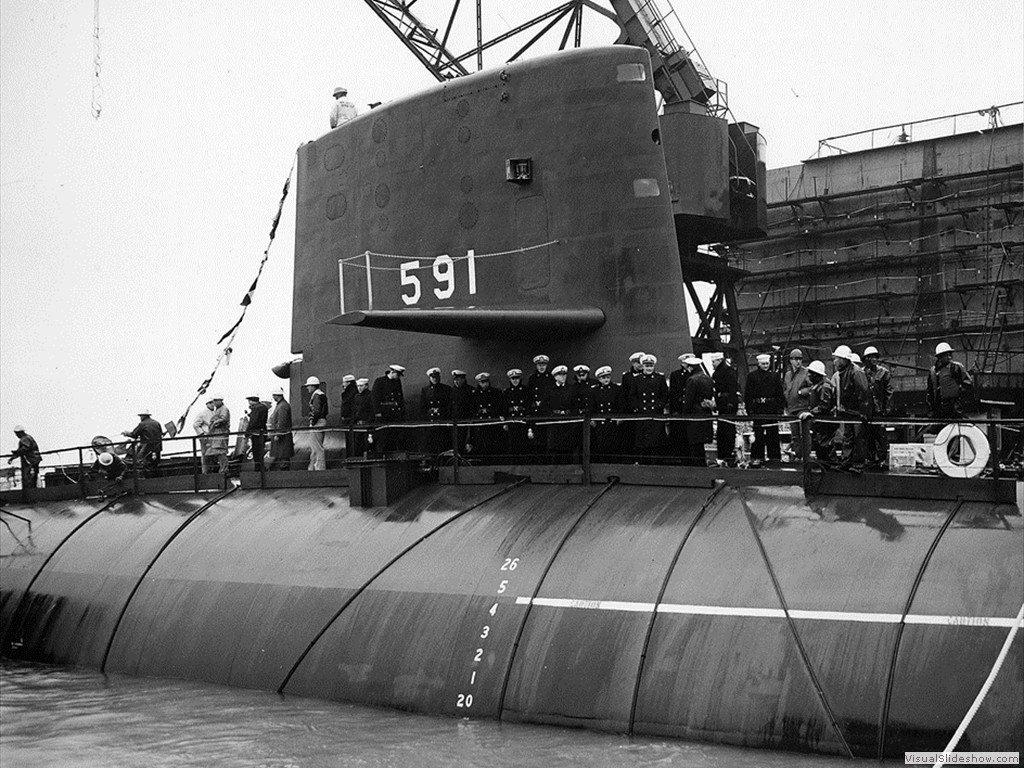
(474, 226)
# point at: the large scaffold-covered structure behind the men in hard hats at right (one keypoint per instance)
(891, 239)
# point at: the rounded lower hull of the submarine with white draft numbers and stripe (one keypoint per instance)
(748, 616)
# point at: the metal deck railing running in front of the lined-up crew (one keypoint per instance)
(570, 440)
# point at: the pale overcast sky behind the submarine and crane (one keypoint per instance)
(126, 243)
